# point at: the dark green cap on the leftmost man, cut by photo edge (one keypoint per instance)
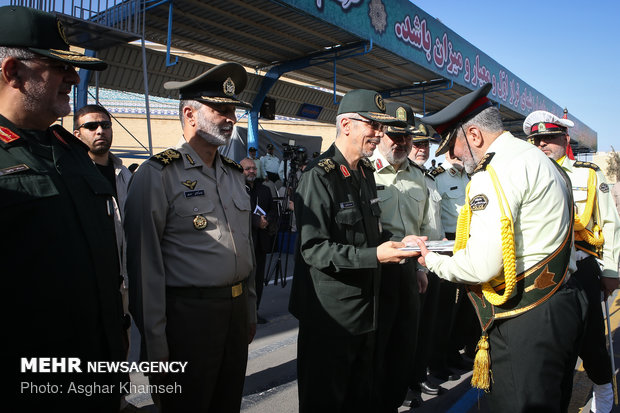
(41, 33)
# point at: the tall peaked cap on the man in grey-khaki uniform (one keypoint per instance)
(217, 85)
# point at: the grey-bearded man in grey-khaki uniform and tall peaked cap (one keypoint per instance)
(190, 255)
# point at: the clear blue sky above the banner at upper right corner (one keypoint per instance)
(568, 50)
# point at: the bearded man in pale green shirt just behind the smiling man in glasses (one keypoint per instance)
(403, 198)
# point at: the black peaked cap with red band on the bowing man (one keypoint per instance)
(447, 120)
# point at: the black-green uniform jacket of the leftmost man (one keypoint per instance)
(59, 259)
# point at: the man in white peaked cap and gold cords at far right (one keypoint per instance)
(597, 236)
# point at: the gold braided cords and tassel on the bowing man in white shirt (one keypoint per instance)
(481, 377)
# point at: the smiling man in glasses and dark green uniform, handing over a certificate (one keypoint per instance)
(337, 262)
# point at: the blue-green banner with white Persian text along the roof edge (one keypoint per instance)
(406, 30)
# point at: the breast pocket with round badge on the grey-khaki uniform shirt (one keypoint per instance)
(199, 215)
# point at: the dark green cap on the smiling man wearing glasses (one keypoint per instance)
(368, 104)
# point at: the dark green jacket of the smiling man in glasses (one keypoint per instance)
(336, 269)
